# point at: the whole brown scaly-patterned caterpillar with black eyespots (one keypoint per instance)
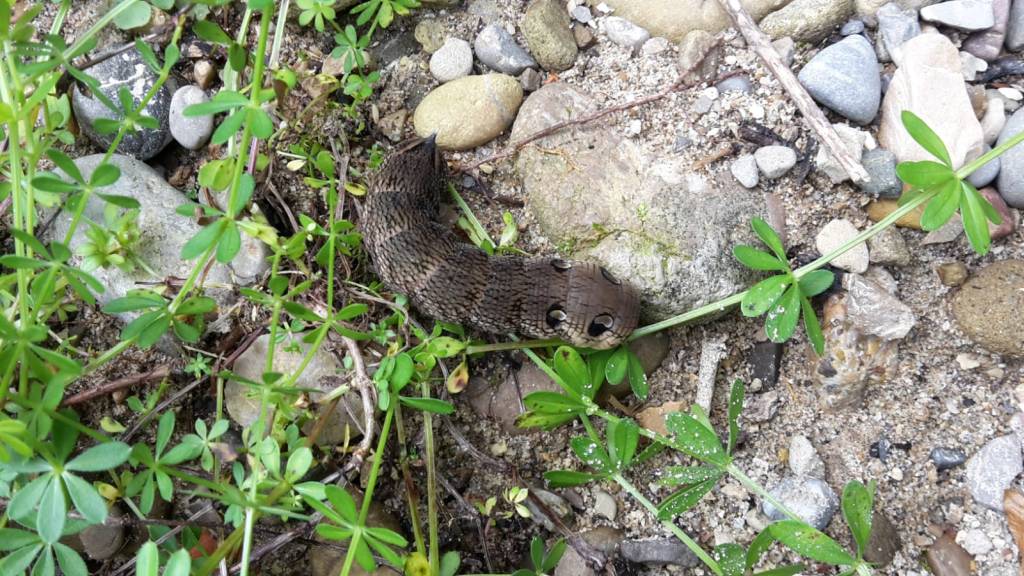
(451, 281)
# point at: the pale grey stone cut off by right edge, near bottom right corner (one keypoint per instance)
(993, 470)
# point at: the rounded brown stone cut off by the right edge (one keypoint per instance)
(990, 309)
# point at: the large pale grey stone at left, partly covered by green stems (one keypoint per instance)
(163, 234)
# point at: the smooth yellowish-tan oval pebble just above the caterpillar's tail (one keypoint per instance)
(471, 111)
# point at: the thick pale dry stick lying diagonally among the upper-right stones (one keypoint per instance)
(817, 120)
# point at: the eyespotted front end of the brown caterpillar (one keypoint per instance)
(599, 311)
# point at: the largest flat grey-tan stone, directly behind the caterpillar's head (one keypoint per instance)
(678, 255)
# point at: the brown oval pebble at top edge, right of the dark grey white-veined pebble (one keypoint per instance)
(546, 27)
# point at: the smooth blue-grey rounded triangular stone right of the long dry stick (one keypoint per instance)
(845, 78)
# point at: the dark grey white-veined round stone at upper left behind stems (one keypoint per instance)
(126, 71)
